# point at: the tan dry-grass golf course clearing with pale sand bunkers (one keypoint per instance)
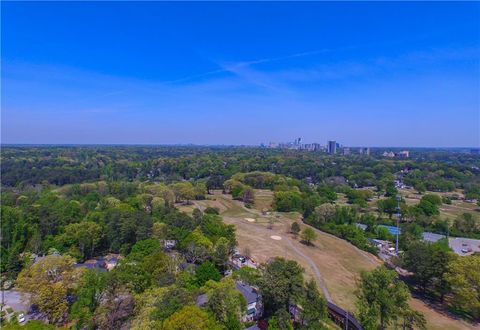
(334, 263)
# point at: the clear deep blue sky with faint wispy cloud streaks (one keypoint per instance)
(373, 74)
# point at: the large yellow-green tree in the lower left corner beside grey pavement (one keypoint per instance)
(48, 281)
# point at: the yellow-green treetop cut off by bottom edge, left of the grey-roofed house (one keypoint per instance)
(190, 318)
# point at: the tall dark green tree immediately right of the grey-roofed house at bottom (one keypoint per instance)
(281, 284)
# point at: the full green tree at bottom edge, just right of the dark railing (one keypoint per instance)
(380, 296)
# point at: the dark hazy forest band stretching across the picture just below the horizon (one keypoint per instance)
(66, 165)
